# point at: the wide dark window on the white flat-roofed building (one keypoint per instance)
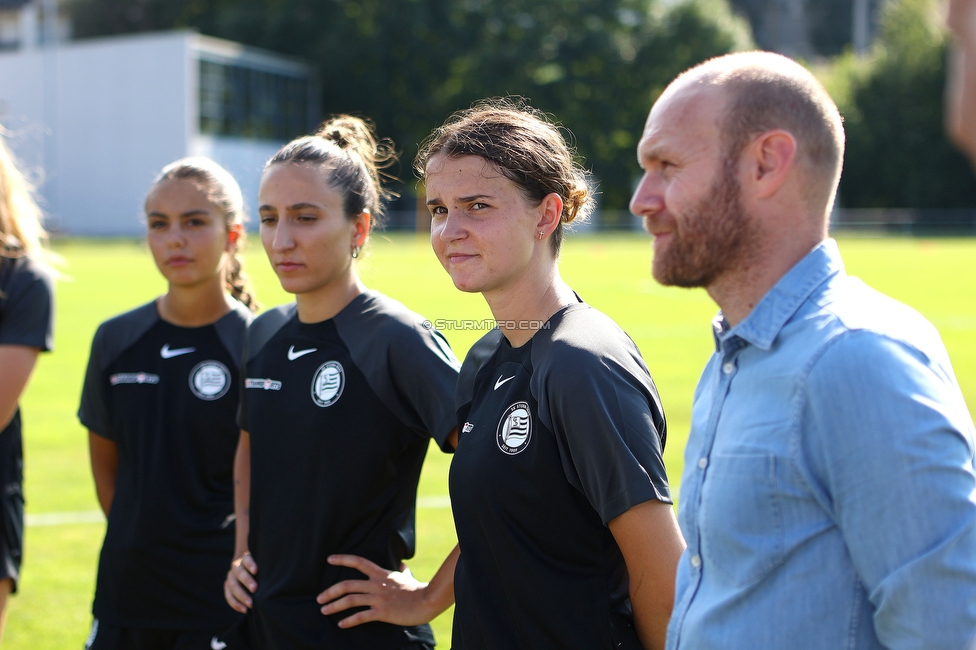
(244, 102)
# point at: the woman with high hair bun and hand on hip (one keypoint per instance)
(344, 388)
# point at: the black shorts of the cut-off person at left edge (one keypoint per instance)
(11, 504)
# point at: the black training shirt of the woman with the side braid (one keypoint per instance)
(167, 396)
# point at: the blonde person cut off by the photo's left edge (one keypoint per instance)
(26, 328)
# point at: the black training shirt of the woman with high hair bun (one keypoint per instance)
(340, 414)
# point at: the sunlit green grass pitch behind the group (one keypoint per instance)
(671, 326)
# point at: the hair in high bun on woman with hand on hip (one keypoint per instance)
(348, 146)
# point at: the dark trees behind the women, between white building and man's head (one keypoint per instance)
(595, 65)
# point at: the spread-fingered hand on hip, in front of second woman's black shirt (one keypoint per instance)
(392, 596)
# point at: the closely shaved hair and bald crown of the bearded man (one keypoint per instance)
(765, 92)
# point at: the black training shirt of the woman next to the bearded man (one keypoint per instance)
(557, 438)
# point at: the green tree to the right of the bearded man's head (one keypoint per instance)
(897, 151)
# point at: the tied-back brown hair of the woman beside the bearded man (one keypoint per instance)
(524, 145)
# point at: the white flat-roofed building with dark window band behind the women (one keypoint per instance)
(96, 120)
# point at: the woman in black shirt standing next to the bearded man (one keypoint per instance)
(559, 491)
